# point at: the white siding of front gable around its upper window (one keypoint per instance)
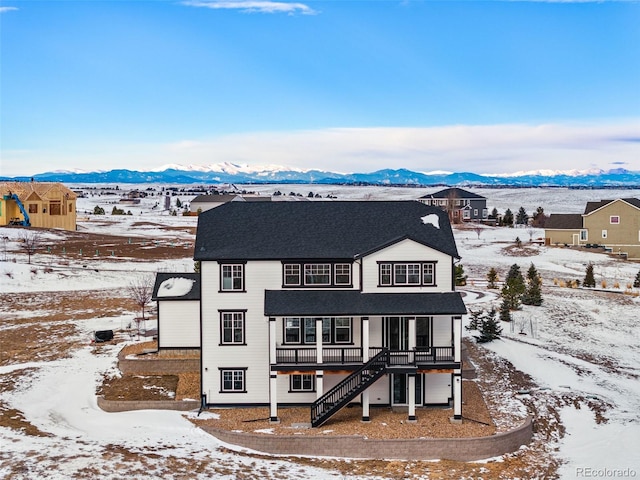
(406, 251)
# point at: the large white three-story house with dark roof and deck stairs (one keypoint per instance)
(327, 303)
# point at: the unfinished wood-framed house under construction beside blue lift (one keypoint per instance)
(37, 204)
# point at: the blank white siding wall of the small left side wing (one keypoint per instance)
(178, 324)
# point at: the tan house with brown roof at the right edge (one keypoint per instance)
(613, 224)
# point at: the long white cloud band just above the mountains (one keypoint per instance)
(484, 149)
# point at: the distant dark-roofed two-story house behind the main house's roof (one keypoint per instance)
(461, 205)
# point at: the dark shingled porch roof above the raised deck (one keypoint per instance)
(303, 303)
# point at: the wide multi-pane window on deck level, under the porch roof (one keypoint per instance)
(303, 330)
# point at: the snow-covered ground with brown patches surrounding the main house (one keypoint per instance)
(585, 342)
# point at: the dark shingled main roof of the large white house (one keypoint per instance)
(316, 230)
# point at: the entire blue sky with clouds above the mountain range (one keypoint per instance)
(350, 86)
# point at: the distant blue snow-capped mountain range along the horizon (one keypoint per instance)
(243, 174)
